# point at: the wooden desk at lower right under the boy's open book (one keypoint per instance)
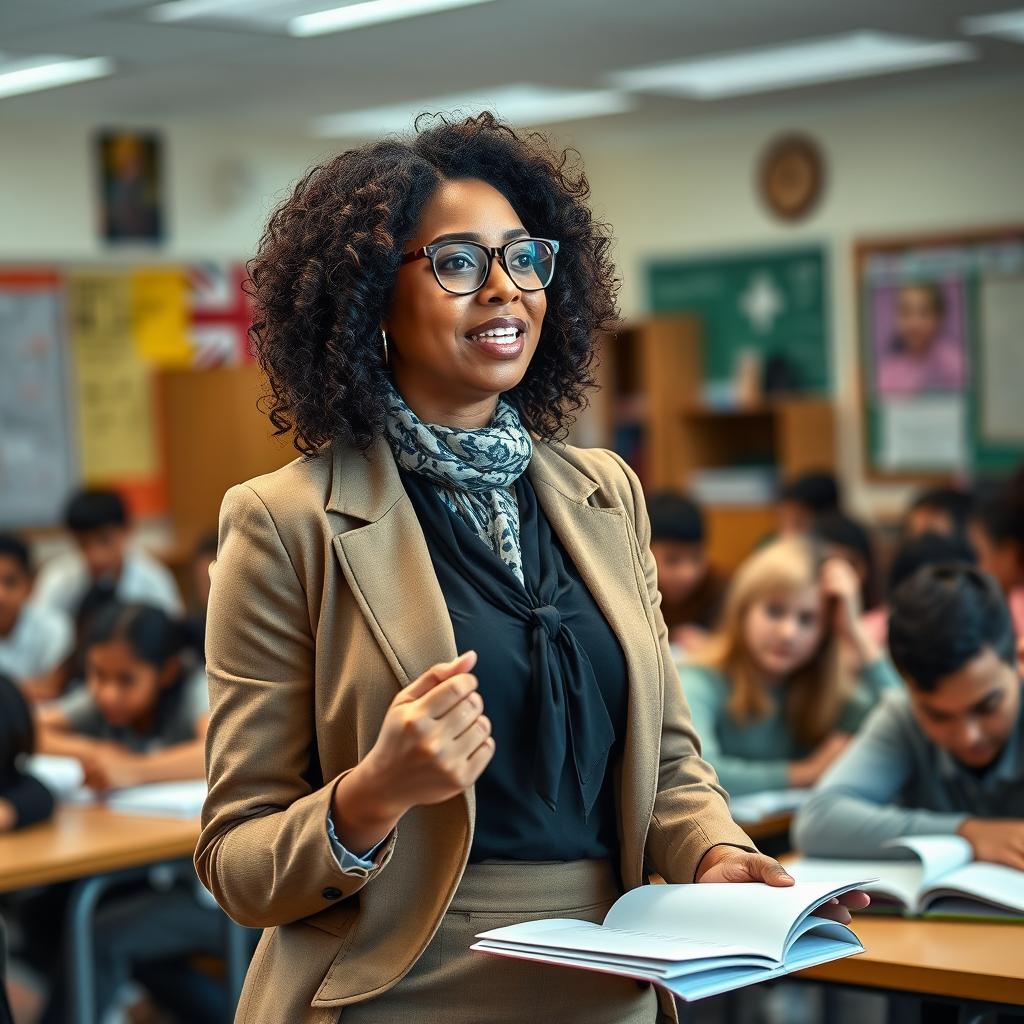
(961, 960)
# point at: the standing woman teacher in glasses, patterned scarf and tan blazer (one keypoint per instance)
(374, 802)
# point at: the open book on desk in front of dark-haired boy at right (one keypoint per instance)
(938, 877)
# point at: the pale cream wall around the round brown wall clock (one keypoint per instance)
(908, 163)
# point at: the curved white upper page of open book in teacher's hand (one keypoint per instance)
(761, 917)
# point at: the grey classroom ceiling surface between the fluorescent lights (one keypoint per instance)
(178, 71)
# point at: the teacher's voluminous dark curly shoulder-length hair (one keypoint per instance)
(323, 276)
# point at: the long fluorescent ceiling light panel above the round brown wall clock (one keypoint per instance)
(855, 55)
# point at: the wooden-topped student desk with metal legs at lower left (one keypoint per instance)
(97, 848)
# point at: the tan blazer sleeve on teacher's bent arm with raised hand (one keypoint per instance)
(265, 851)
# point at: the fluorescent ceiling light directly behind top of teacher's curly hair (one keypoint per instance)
(530, 105)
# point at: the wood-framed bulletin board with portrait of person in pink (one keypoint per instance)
(942, 354)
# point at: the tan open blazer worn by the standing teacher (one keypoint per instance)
(324, 606)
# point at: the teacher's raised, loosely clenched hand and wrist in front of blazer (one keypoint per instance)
(435, 744)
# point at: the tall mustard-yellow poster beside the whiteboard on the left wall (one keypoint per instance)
(114, 389)
